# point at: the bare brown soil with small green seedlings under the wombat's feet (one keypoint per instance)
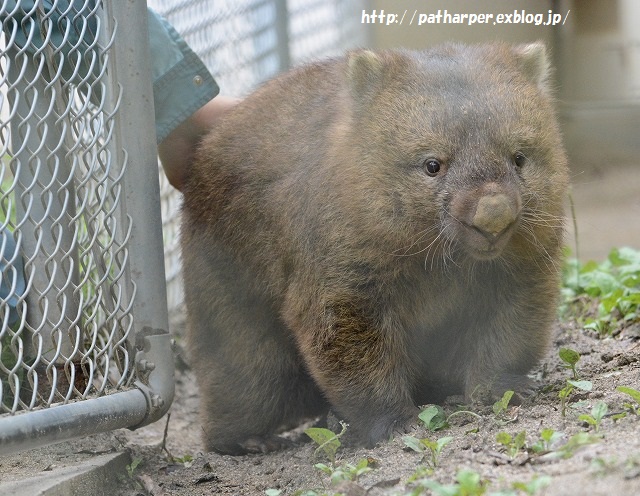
(608, 465)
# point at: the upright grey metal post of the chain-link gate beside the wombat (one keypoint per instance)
(135, 131)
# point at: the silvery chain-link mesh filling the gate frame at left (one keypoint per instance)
(61, 210)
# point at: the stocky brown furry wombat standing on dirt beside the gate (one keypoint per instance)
(372, 233)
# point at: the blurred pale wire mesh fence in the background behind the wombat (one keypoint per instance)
(244, 43)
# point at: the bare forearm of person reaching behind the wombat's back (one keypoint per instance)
(177, 150)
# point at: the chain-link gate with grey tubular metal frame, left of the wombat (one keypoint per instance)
(84, 343)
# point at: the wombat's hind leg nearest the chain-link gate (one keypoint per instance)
(250, 375)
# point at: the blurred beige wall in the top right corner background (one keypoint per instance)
(599, 74)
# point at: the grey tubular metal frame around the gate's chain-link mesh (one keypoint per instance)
(135, 142)
